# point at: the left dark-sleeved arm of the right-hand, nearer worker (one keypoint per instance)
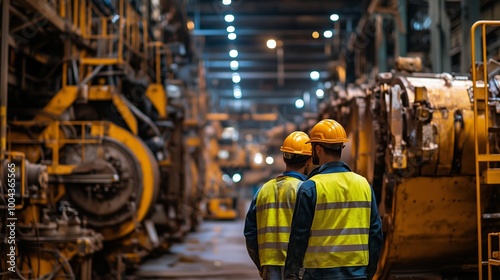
(301, 227)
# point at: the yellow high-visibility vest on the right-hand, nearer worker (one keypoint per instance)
(341, 224)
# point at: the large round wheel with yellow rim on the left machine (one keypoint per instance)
(114, 209)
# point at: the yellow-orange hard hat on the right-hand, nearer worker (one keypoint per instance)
(328, 131)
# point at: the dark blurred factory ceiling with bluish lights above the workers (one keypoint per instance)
(271, 80)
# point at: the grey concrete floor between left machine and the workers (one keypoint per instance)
(216, 251)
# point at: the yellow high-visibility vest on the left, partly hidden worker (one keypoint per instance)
(275, 203)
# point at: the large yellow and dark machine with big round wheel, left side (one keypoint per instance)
(108, 108)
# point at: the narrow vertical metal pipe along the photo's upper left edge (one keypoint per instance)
(4, 72)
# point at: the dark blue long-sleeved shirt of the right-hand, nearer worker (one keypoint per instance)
(303, 216)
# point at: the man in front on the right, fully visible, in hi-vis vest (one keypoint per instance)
(336, 230)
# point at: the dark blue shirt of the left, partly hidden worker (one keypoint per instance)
(250, 230)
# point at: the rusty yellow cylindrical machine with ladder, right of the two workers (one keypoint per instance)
(428, 143)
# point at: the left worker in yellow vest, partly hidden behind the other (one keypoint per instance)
(267, 224)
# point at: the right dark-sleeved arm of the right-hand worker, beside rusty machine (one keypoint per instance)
(375, 240)
